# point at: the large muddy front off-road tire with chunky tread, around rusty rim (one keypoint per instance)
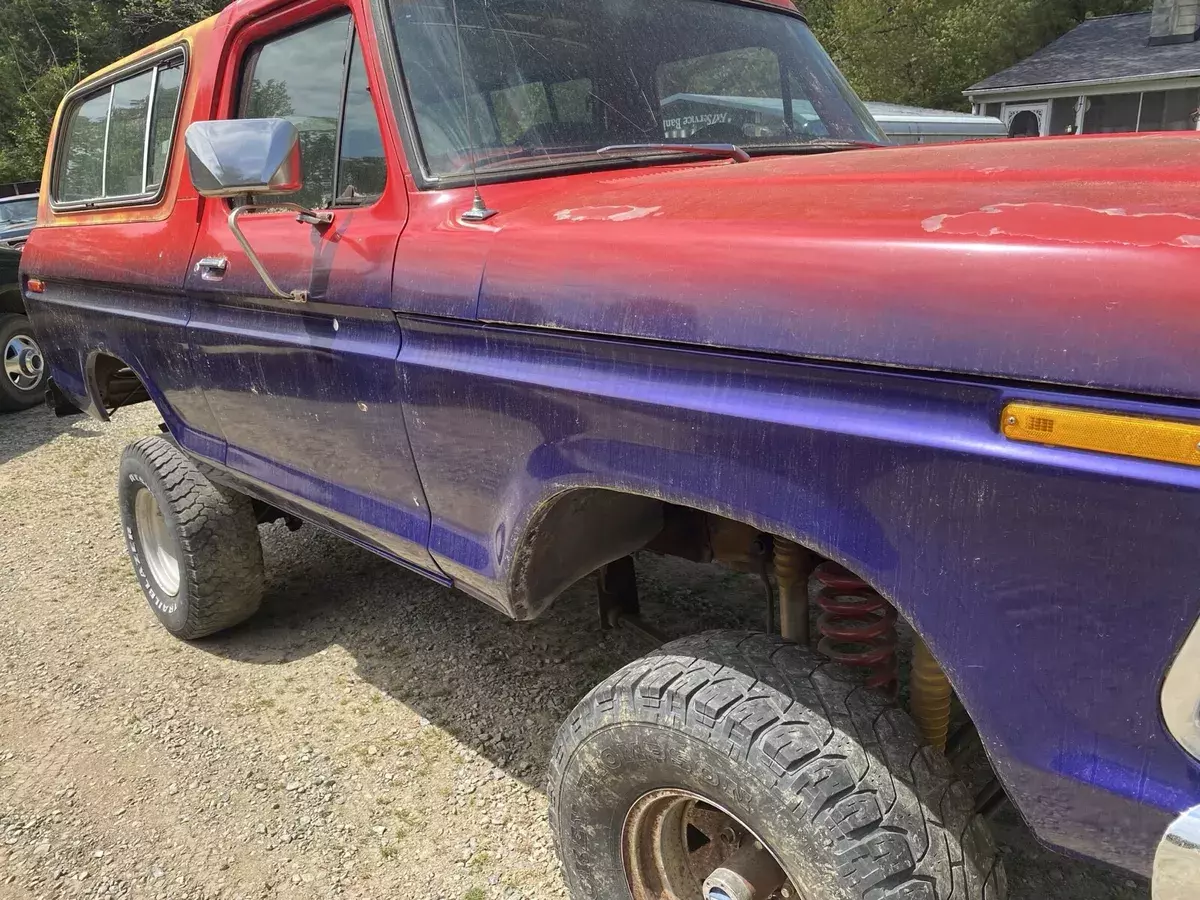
(831, 776)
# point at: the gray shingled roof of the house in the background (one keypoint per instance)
(1107, 49)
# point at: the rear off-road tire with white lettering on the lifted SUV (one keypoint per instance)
(217, 535)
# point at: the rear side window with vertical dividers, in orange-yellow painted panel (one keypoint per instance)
(116, 143)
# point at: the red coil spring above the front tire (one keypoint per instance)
(859, 627)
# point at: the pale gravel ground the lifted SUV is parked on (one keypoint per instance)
(368, 735)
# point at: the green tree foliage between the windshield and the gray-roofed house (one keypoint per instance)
(927, 52)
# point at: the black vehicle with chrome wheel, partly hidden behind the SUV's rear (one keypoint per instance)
(22, 382)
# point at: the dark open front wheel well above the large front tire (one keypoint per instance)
(583, 531)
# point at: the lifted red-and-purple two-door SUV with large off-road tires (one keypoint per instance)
(441, 278)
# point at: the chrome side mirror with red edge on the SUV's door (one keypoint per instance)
(237, 157)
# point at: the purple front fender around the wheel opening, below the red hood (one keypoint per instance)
(1048, 583)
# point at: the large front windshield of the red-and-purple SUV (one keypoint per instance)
(559, 79)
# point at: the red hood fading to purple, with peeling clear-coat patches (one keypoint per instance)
(1072, 261)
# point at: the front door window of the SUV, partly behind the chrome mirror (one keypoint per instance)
(296, 77)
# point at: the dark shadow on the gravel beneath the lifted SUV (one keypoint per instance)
(503, 688)
